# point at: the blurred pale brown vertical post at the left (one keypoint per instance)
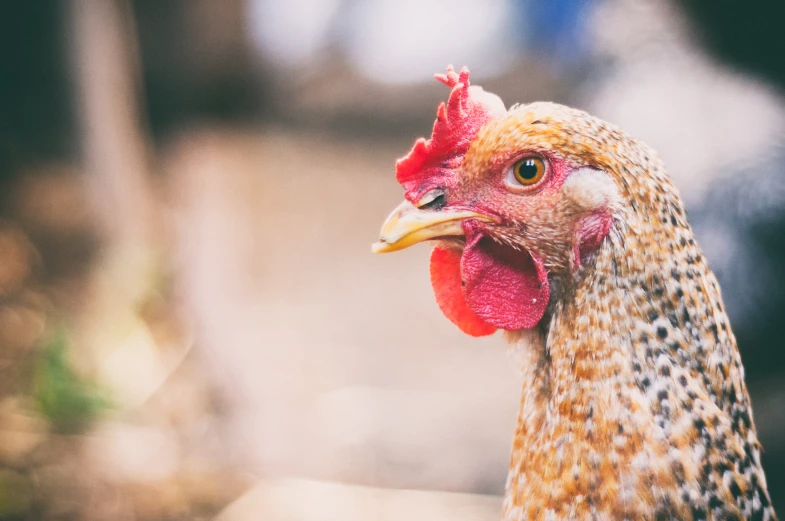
(123, 352)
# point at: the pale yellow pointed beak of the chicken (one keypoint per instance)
(408, 225)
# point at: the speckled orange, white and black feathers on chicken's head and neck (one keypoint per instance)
(634, 404)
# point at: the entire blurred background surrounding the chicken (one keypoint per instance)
(191, 323)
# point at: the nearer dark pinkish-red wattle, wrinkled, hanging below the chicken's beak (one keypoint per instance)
(505, 287)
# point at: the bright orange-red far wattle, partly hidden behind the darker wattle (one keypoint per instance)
(446, 282)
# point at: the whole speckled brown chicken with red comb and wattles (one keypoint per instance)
(566, 233)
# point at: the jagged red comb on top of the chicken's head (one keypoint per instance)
(430, 163)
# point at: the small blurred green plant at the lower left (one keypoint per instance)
(68, 400)
